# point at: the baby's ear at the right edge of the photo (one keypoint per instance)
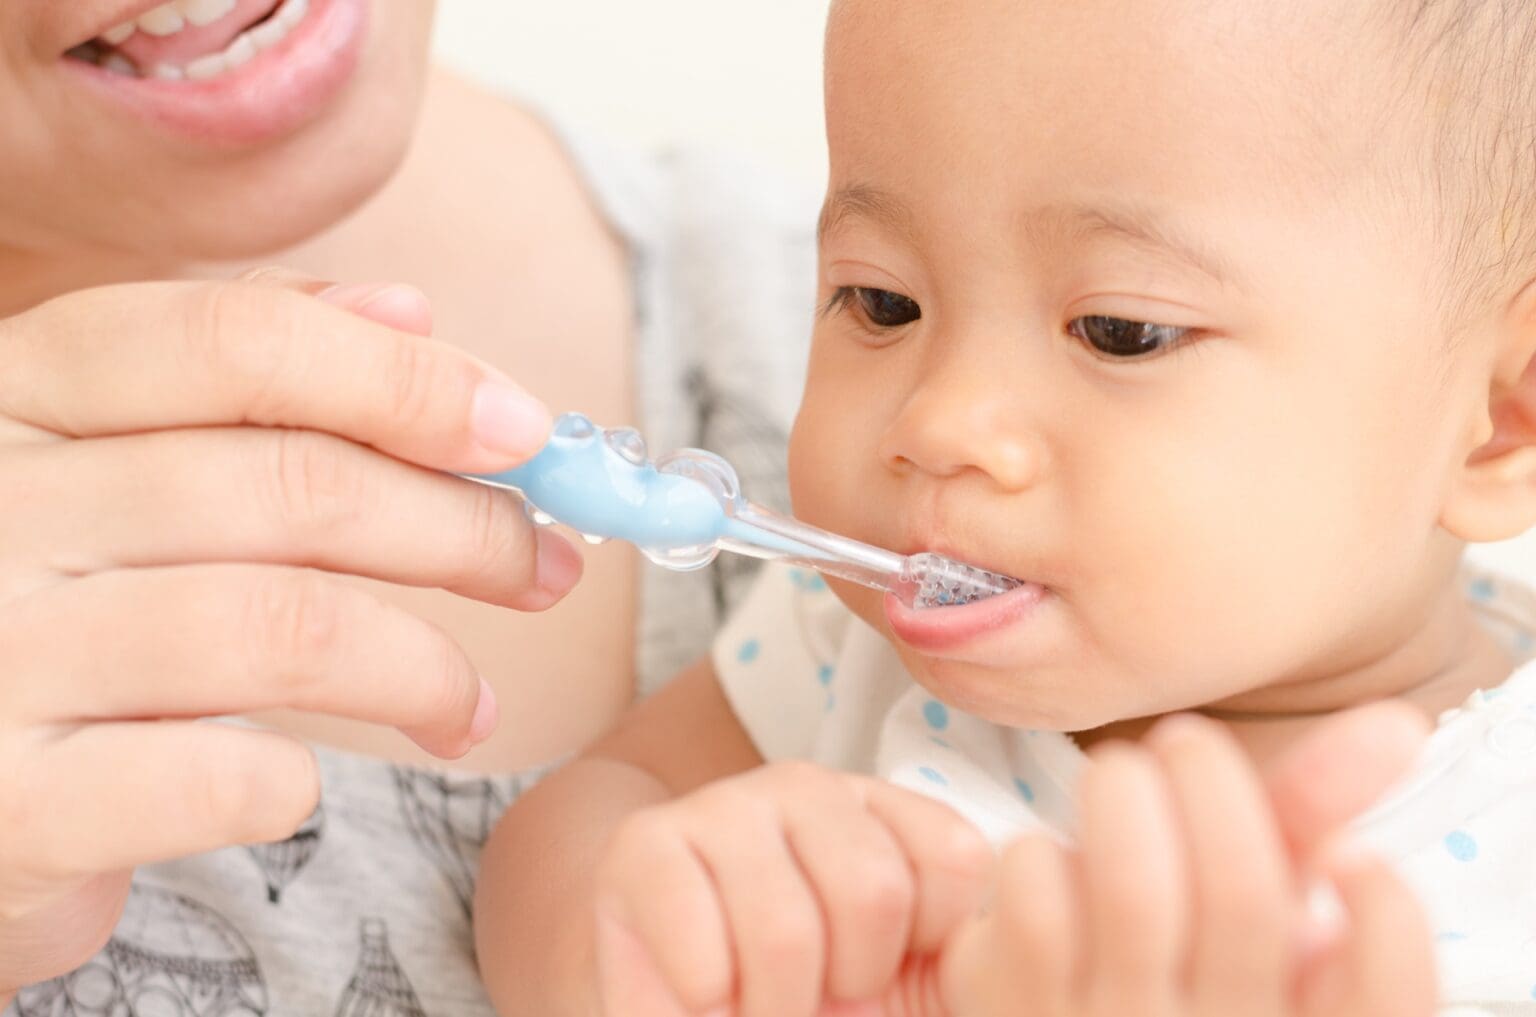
(1494, 497)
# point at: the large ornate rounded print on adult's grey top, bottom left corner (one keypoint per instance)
(170, 956)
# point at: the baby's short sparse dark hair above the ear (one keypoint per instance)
(1466, 71)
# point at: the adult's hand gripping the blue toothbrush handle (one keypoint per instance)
(187, 468)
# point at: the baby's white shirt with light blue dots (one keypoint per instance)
(812, 681)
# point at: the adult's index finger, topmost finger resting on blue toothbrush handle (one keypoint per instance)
(170, 356)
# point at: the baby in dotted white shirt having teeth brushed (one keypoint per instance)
(1211, 322)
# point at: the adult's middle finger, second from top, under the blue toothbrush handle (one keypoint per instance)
(291, 497)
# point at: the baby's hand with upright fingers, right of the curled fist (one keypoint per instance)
(1183, 901)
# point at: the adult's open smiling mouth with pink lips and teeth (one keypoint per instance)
(231, 71)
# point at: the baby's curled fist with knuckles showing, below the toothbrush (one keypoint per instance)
(780, 893)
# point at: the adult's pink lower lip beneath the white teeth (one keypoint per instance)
(271, 96)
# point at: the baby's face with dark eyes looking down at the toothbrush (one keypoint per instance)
(1116, 306)
